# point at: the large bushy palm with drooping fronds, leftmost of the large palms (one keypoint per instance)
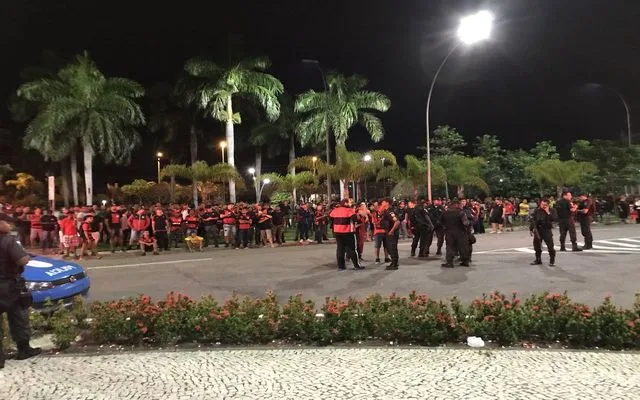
(83, 106)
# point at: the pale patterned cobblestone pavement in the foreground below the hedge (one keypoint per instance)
(328, 373)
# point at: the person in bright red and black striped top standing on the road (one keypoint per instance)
(343, 220)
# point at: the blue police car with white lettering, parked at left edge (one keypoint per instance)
(55, 280)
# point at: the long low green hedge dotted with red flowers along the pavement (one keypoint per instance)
(416, 318)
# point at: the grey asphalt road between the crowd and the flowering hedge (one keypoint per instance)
(500, 262)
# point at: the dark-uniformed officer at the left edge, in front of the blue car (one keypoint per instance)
(13, 299)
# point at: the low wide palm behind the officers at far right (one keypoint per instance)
(560, 173)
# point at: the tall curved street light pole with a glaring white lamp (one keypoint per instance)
(472, 29)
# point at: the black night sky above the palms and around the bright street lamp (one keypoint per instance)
(523, 85)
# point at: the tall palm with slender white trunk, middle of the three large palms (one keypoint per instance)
(220, 85)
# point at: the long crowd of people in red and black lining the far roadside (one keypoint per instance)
(77, 231)
